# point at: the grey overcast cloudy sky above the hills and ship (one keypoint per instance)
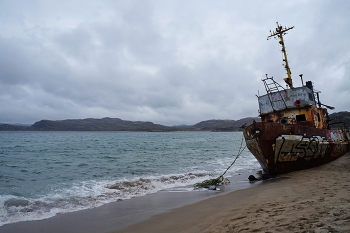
(169, 62)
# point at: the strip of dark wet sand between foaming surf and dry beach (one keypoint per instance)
(118, 215)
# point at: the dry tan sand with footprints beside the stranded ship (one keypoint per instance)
(313, 200)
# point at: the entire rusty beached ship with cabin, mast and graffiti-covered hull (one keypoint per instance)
(295, 129)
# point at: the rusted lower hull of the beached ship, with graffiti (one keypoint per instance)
(283, 148)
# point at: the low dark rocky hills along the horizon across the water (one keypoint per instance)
(116, 124)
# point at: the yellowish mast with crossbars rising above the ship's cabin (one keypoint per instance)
(280, 31)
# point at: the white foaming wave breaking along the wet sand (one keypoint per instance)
(90, 194)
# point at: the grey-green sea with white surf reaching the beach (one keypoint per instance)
(43, 174)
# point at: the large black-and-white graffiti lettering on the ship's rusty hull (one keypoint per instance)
(289, 148)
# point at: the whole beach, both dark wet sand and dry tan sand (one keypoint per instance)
(313, 200)
